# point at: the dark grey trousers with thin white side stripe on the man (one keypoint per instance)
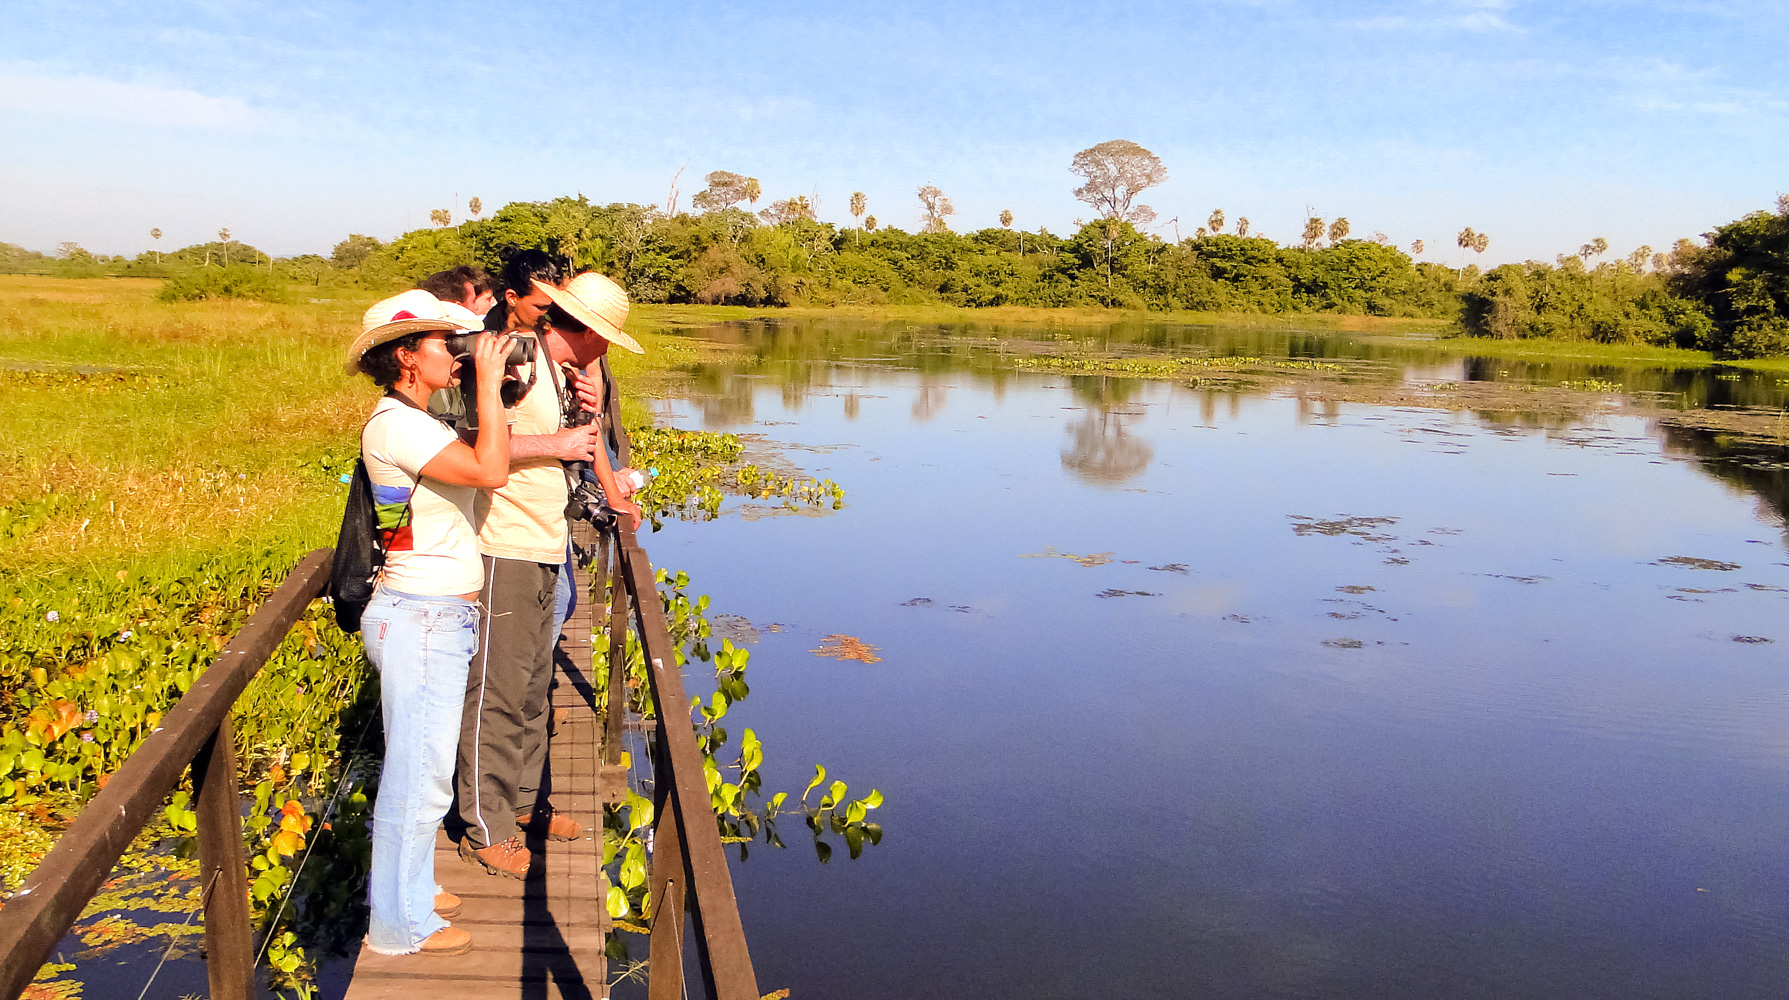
(504, 729)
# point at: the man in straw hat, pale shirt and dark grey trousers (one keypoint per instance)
(504, 738)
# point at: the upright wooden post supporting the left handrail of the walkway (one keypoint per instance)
(230, 936)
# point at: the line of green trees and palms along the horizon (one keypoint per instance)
(1727, 296)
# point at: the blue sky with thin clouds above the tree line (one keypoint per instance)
(296, 124)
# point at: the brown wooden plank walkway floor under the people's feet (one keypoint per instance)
(543, 938)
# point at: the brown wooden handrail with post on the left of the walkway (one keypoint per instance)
(194, 733)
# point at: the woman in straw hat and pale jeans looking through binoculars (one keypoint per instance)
(421, 625)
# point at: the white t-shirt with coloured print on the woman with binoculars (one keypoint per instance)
(430, 548)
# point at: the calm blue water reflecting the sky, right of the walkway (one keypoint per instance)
(1330, 700)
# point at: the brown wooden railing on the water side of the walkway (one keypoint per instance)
(690, 865)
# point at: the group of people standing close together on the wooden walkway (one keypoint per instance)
(473, 518)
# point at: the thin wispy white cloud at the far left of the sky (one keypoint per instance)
(112, 101)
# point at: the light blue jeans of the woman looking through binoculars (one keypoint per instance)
(421, 648)
